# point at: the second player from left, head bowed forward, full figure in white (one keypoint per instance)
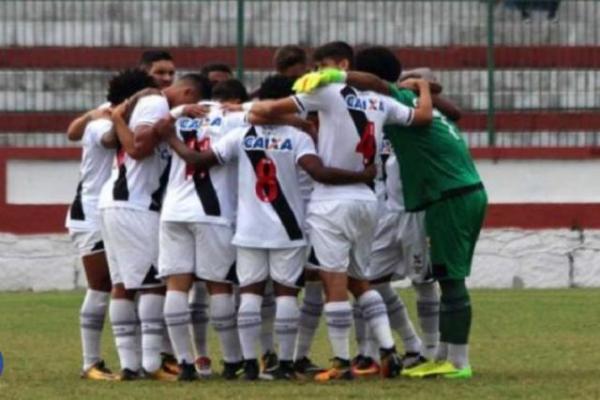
(130, 203)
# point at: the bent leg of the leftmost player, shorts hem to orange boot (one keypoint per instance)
(95, 304)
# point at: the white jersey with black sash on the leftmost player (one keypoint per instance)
(94, 170)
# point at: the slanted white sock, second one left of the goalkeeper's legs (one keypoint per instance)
(399, 319)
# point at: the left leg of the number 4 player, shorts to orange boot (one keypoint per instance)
(332, 250)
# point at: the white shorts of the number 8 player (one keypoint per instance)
(284, 266)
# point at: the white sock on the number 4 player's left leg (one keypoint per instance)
(338, 315)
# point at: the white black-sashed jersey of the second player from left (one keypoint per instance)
(140, 184)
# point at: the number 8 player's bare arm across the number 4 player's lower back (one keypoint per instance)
(313, 165)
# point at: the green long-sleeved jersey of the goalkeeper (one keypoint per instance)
(434, 160)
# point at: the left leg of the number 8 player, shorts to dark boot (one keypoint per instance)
(252, 270)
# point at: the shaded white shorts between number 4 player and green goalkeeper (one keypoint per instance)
(400, 247)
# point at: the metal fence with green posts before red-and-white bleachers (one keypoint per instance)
(527, 73)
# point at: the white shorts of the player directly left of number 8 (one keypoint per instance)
(196, 248)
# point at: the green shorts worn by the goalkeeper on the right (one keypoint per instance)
(453, 227)
